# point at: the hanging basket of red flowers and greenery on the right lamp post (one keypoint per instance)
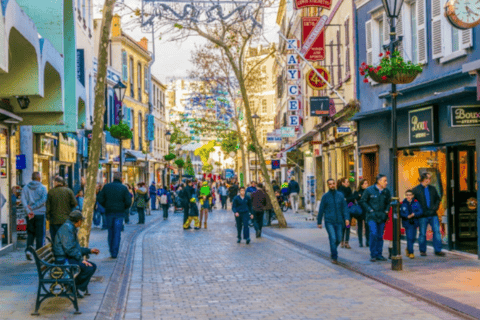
(392, 69)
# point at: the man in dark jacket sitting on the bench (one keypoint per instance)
(67, 250)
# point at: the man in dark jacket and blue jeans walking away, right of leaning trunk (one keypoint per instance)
(116, 199)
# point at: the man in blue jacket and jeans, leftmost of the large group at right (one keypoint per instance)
(334, 207)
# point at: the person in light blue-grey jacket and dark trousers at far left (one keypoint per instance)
(34, 198)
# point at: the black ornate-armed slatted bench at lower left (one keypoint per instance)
(54, 280)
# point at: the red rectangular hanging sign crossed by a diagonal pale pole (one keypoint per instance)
(313, 38)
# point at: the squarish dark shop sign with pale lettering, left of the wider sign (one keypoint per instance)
(420, 126)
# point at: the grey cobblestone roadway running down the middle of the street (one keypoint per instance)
(205, 274)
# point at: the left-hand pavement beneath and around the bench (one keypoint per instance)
(18, 281)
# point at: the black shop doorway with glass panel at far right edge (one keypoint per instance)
(463, 198)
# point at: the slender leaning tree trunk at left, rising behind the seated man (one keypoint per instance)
(99, 111)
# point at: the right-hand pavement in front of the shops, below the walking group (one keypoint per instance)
(453, 280)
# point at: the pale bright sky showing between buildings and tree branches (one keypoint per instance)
(173, 58)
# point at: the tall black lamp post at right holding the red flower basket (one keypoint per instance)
(392, 9)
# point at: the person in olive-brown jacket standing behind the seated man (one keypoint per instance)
(60, 203)
